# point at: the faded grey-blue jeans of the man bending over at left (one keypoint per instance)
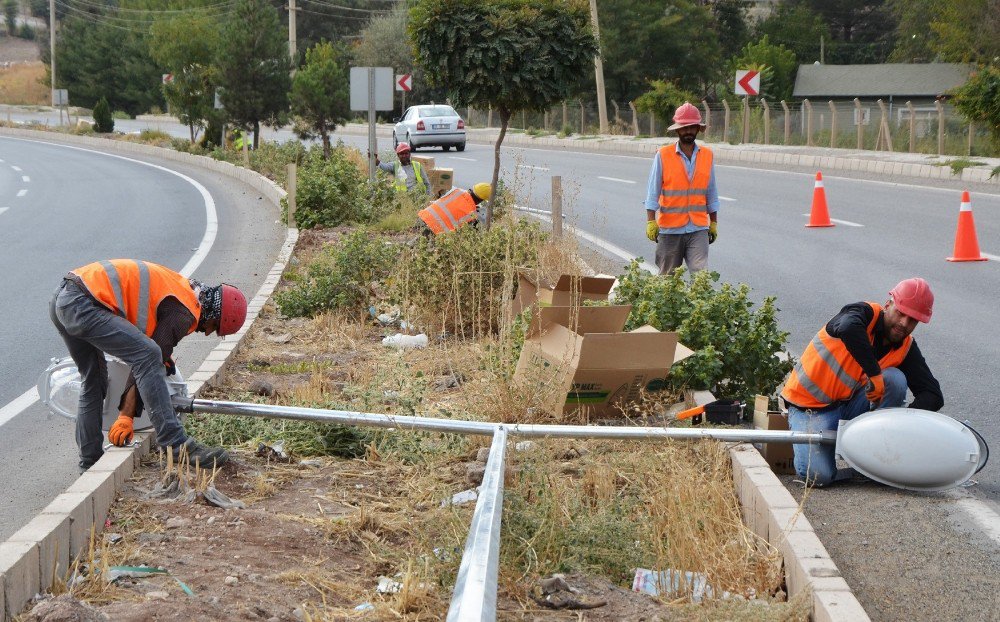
(89, 330)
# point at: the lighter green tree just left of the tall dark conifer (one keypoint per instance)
(185, 48)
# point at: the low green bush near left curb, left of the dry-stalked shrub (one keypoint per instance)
(341, 277)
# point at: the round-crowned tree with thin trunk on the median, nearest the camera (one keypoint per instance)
(512, 55)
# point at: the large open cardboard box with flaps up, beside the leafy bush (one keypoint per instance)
(595, 372)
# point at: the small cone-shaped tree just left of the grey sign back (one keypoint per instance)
(320, 96)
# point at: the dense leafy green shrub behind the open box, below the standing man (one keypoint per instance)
(735, 345)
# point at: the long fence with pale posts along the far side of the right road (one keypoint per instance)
(934, 127)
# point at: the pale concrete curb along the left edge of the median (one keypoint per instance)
(45, 547)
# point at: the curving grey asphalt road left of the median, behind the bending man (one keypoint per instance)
(66, 207)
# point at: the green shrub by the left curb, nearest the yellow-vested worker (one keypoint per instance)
(336, 191)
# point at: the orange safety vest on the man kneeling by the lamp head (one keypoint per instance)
(827, 372)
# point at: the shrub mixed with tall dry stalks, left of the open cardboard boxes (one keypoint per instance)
(462, 281)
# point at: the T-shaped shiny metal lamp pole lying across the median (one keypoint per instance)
(475, 594)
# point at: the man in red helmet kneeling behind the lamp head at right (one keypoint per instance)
(863, 359)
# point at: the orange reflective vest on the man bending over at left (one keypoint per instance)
(135, 289)
